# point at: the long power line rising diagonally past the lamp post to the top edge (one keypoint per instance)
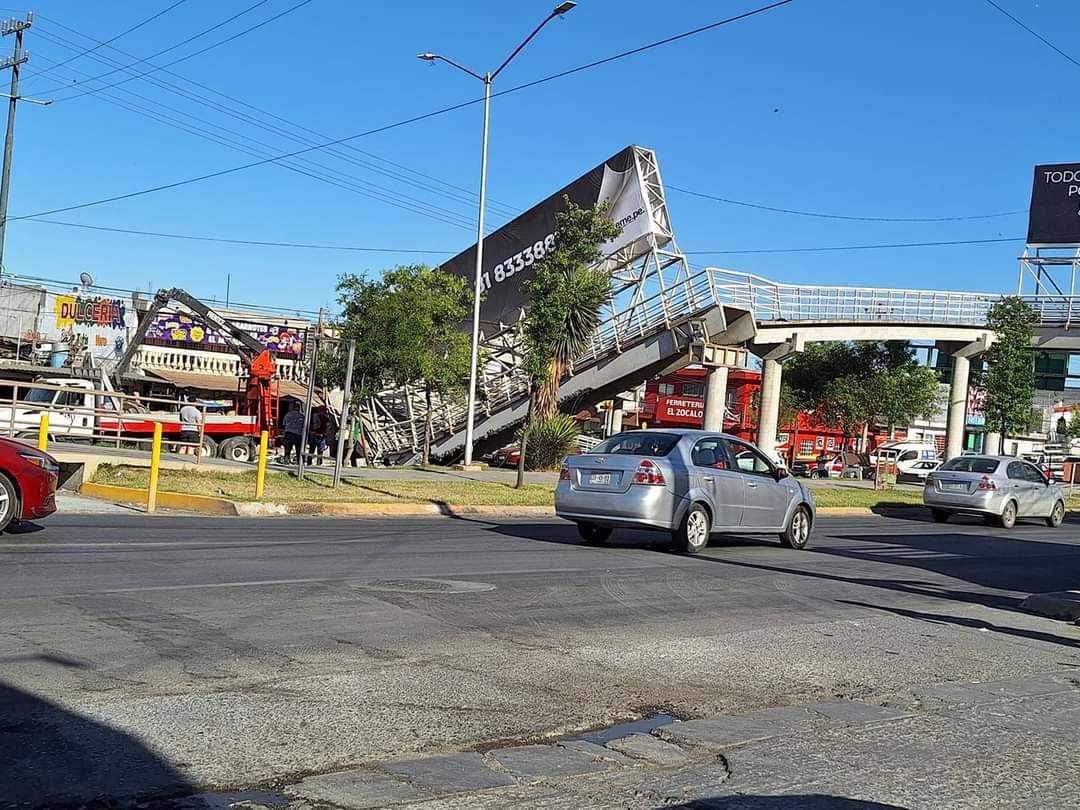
(404, 123)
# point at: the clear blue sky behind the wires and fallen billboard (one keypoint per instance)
(915, 110)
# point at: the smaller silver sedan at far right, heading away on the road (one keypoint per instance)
(1001, 489)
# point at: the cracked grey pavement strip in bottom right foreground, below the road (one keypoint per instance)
(1003, 745)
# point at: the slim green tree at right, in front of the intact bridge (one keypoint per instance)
(1009, 377)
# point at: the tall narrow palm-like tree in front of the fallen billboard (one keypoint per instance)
(566, 293)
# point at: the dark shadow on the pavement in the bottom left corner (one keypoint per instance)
(52, 758)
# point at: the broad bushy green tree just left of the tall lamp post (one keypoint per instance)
(408, 328)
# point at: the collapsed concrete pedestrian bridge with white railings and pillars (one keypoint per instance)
(666, 328)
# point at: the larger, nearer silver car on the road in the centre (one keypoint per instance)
(687, 482)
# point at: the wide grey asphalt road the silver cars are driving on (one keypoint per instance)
(144, 654)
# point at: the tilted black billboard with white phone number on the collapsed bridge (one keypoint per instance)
(510, 252)
